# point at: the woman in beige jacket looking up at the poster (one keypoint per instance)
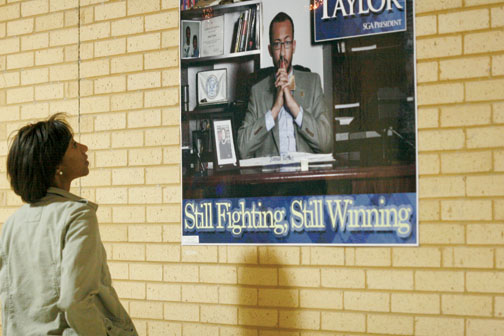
(54, 278)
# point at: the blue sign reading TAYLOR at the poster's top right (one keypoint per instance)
(338, 19)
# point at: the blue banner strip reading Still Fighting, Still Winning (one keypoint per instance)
(386, 219)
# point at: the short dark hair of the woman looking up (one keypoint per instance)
(35, 153)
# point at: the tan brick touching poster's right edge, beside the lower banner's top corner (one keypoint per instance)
(448, 186)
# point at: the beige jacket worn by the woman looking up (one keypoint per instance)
(54, 278)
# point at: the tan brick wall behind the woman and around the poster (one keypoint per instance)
(123, 103)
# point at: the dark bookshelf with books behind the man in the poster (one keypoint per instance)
(238, 64)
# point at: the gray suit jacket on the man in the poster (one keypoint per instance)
(315, 134)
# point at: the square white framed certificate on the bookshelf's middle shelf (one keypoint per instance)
(212, 86)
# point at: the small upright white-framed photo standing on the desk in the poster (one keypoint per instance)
(224, 144)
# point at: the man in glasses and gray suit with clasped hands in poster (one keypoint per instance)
(286, 111)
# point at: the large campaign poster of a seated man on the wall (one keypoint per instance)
(321, 115)
